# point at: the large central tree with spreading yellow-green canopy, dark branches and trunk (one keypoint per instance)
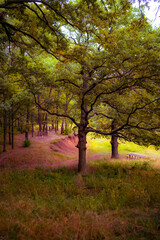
(103, 55)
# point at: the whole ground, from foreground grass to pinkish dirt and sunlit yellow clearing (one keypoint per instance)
(115, 200)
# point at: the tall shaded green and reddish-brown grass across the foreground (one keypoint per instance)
(112, 201)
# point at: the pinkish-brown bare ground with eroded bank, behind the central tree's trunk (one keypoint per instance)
(52, 151)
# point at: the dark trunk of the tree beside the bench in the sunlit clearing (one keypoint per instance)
(114, 142)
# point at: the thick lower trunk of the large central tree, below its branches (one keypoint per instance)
(82, 151)
